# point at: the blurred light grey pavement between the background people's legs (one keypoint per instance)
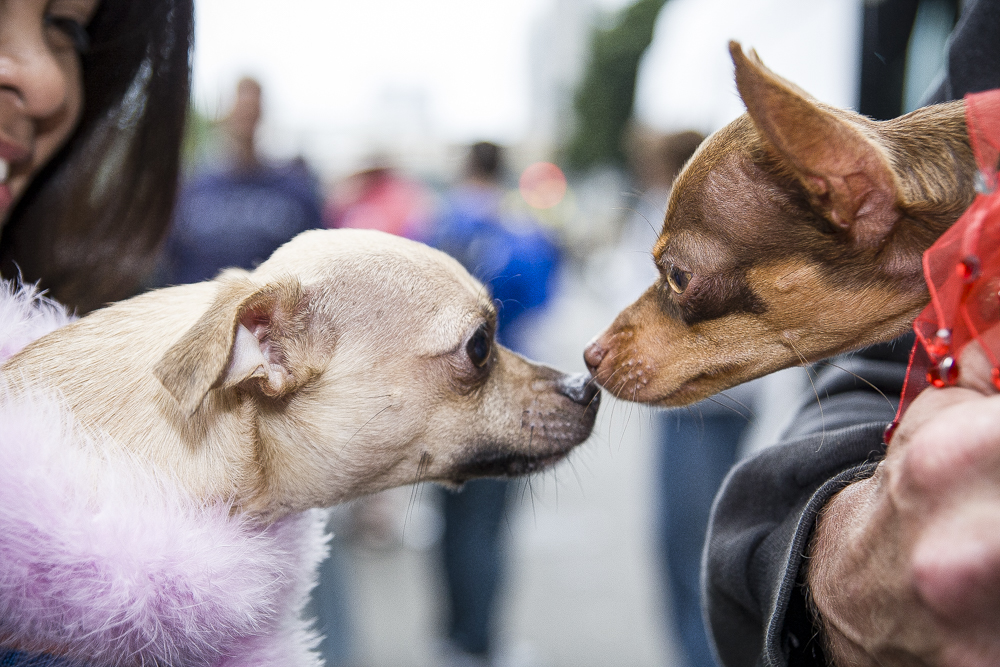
(582, 586)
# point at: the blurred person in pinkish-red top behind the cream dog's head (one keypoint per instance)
(381, 198)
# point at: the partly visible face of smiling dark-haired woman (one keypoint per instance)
(41, 93)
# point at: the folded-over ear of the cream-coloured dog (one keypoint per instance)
(242, 338)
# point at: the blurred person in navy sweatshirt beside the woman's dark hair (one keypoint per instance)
(238, 209)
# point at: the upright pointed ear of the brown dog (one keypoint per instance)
(847, 174)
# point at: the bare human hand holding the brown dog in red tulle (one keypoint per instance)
(904, 567)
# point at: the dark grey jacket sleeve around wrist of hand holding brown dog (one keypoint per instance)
(765, 511)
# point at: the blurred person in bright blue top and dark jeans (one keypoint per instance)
(517, 260)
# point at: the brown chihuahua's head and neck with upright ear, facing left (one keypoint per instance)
(794, 233)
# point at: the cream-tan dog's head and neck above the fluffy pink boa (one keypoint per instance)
(338, 368)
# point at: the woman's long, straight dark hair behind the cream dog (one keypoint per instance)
(91, 222)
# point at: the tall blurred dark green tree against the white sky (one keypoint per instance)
(603, 102)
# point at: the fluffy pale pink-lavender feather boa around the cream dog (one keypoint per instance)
(99, 554)
